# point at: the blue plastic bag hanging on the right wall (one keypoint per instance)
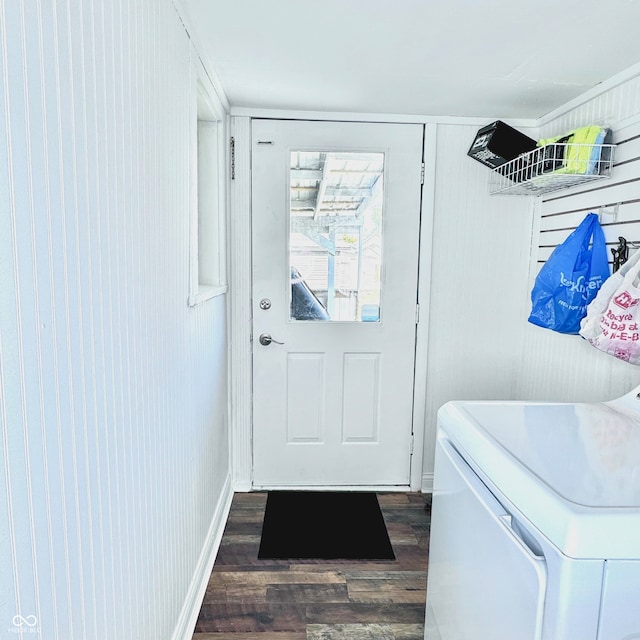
(570, 279)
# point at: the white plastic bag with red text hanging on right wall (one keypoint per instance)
(612, 323)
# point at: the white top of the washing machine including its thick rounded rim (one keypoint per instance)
(573, 470)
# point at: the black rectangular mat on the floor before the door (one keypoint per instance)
(324, 525)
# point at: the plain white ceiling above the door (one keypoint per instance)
(493, 58)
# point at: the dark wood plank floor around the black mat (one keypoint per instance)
(251, 599)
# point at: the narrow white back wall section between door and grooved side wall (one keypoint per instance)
(480, 264)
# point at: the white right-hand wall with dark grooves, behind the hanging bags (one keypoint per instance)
(567, 368)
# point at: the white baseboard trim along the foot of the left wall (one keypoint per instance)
(191, 608)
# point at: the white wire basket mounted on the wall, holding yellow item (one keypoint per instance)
(552, 167)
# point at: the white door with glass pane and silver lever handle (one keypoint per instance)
(335, 229)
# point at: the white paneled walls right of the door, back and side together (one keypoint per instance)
(488, 250)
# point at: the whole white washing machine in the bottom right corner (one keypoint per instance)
(535, 529)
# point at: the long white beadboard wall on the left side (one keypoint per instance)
(114, 477)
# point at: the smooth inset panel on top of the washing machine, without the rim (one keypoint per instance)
(587, 453)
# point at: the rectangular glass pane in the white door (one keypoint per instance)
(335, 239)
